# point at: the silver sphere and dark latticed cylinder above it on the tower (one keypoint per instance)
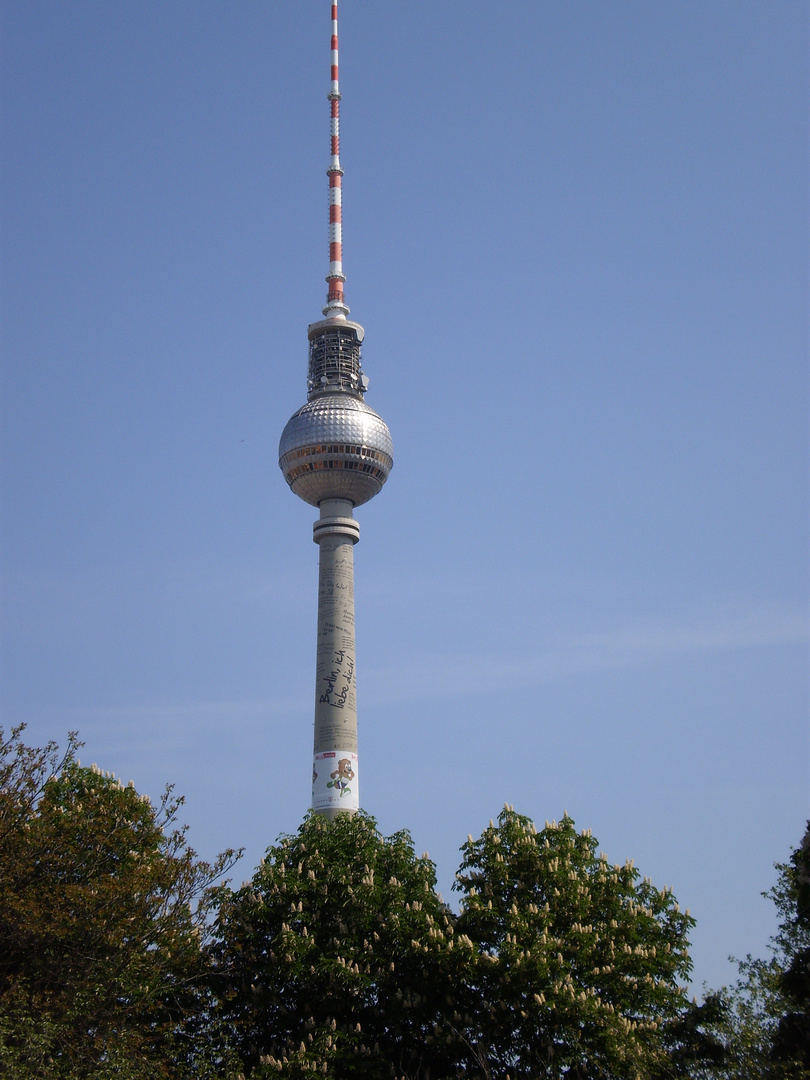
(336, 447)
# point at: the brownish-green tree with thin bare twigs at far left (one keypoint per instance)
(103, 912)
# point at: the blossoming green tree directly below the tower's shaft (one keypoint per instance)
(340, 958)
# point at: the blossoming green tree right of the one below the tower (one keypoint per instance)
(577, 962)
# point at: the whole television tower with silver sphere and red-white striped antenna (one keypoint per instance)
(336, 454)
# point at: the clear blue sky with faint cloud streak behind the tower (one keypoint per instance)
(577, 237)
